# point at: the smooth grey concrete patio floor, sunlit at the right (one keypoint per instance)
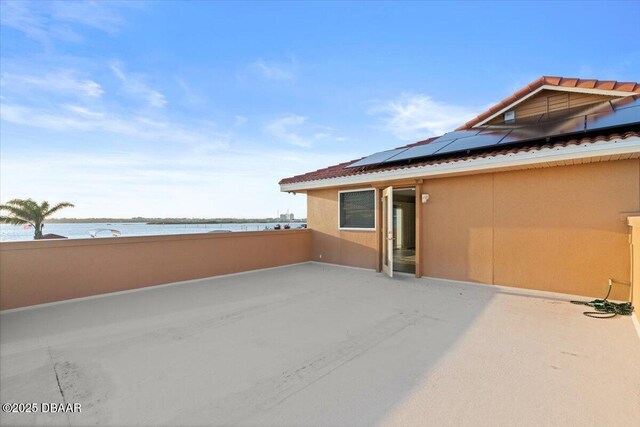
(315, 344)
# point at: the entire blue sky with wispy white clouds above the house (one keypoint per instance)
(197, 109)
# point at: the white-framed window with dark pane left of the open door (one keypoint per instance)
(358, 209)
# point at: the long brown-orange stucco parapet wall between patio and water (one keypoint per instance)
(37, 272)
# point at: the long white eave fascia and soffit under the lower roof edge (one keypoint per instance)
(544, 156)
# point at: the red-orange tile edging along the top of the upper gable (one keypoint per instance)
(553, 81)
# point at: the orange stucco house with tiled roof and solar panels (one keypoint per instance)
(534, 192)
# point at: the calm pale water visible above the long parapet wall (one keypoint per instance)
(81, 231)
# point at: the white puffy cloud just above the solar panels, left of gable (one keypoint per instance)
(417, 116)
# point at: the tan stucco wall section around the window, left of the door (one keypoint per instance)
(328, 243)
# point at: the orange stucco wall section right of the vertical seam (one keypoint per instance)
(560, 229)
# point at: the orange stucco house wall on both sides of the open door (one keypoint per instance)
(557, 229)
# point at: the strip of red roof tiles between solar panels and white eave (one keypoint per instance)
(339, 170)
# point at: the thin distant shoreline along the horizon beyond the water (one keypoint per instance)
(172, 221)
